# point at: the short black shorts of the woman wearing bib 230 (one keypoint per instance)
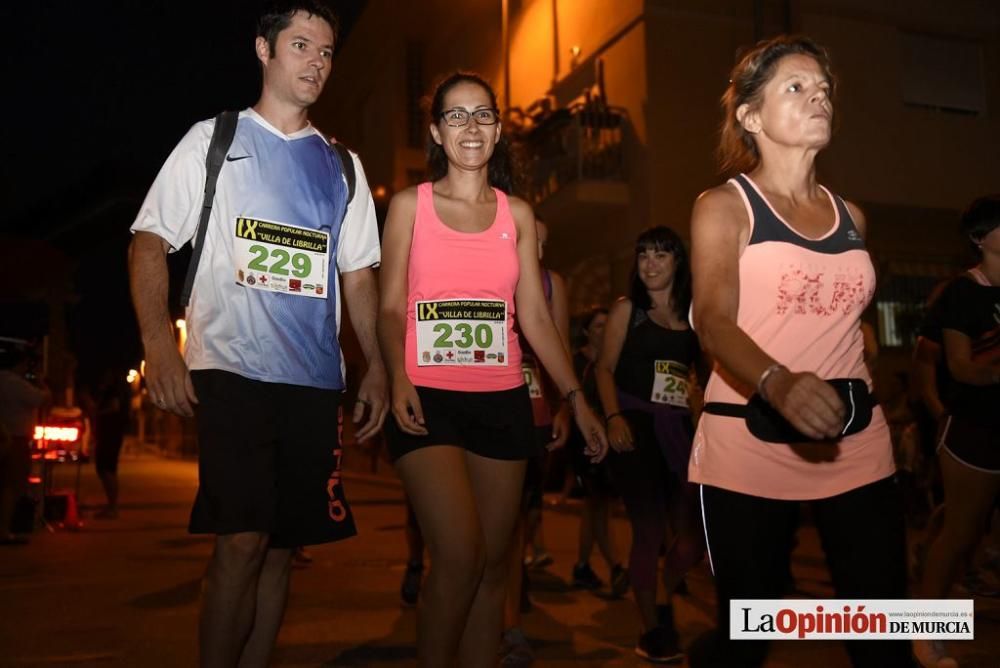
(496, 425)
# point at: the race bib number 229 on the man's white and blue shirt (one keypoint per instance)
(281, 258)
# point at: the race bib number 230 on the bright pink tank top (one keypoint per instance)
(461, 332)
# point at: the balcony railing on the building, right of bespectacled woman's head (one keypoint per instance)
(571, 146)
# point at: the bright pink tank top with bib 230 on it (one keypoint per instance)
(460, 307)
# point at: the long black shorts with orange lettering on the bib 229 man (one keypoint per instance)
(269, 461)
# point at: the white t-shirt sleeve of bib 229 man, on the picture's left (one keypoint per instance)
(173, 204)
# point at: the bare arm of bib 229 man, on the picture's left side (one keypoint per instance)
(167, 377)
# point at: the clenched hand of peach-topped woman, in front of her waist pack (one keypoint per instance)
(808, 402)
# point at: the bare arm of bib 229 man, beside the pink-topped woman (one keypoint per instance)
(361, 297)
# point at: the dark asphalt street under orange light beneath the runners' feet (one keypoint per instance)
(124, 592)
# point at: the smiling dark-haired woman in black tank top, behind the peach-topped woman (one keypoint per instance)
(644, 376)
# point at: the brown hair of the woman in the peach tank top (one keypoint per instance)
(737, 148)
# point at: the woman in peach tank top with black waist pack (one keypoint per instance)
(781, 277)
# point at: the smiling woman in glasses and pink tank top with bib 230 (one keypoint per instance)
(459, 259)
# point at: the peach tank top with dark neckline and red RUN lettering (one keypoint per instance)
(801, 301)
